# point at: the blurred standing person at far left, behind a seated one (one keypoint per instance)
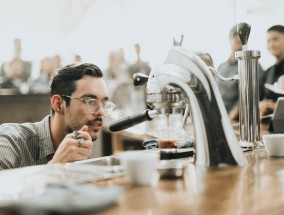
(26, 67)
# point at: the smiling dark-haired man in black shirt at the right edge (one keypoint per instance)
(275, 45)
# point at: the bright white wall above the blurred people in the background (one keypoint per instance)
(94, 28)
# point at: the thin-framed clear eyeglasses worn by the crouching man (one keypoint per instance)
(93, 105)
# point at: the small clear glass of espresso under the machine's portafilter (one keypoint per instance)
(168, 138)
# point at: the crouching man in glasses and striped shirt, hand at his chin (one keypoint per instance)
(79, 101)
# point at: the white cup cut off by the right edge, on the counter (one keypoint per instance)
(274, 144)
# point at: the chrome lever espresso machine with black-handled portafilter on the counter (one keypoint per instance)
(184, 83)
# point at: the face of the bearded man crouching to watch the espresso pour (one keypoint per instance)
(77, 114)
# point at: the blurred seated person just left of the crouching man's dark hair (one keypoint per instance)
(41, 84)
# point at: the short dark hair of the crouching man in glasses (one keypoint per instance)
(64, 82)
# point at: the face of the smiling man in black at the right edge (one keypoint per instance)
(275, 43)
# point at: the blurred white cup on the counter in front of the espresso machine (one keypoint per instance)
(140, 167)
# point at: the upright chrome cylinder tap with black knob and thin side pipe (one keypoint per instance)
(248, 75)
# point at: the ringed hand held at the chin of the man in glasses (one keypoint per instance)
(70, 149)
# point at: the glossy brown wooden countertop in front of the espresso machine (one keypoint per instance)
(257, 188)
